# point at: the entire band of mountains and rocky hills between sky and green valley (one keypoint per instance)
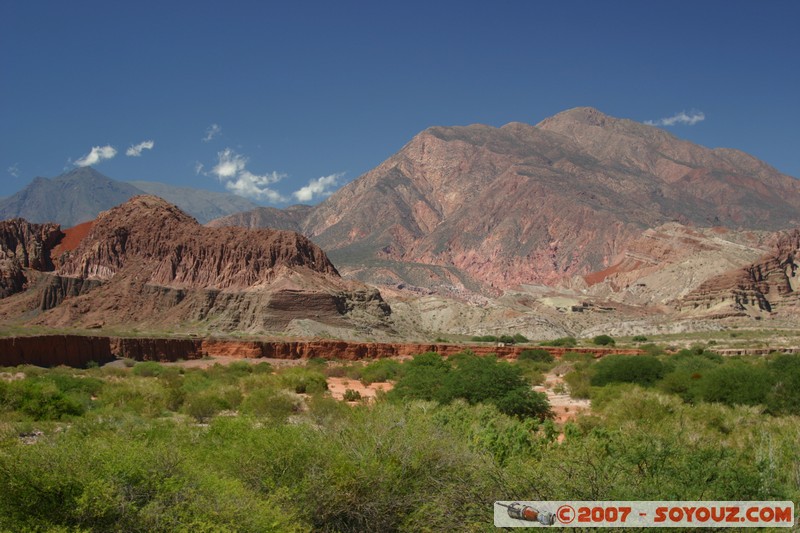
(579, 225)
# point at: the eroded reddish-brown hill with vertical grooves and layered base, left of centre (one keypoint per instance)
(147, 264)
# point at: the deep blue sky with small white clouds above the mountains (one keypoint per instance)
(285, 101)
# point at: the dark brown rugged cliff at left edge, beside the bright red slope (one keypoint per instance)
(24, 246)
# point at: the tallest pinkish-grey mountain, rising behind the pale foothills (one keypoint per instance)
(540, 204)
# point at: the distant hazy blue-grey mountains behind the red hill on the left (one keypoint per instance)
(79, 195)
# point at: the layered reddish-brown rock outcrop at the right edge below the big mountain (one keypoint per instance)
(764, 287)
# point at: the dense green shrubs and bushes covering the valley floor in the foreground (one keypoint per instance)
(250, 448)
